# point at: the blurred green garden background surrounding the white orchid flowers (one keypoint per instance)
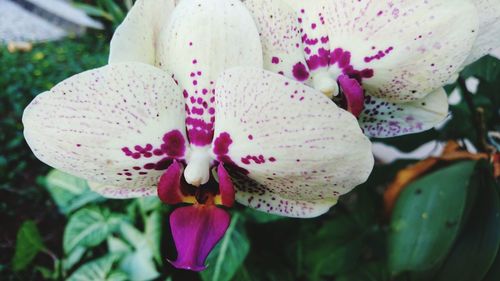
(430, 210)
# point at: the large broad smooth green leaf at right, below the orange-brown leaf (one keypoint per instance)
(427, 218)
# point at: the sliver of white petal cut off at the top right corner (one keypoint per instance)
(489, 29)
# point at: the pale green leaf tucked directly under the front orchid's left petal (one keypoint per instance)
(69, 192)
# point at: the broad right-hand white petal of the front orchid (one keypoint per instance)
(289, 138)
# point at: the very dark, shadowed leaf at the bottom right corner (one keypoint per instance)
(478, 244)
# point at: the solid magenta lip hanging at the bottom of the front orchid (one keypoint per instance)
(196, 230)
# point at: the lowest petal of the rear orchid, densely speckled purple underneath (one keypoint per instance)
(382, 119)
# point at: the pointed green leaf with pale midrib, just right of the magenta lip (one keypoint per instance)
(229, 254)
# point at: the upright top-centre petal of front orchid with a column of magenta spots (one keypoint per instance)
(205, 38)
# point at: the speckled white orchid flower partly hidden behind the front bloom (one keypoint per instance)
(384, 61)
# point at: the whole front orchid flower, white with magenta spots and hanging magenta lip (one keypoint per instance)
(184, 110)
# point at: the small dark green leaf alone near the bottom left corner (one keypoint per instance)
(28, 244)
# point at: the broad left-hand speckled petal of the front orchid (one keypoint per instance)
(118, 126)
